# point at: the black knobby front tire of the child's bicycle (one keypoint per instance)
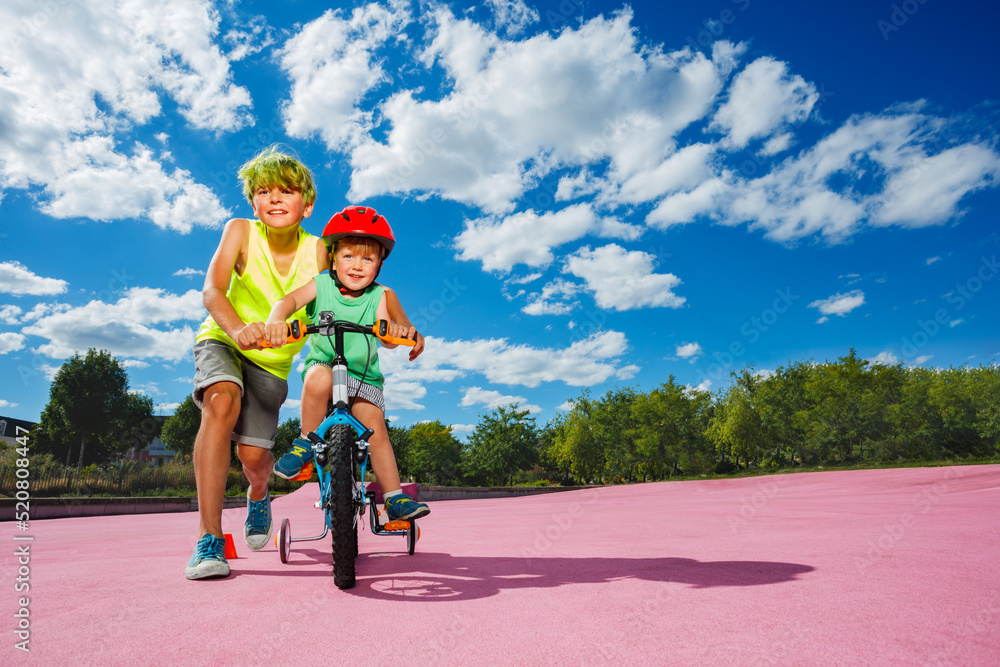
(342, 511)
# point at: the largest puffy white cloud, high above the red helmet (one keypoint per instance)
(505, 122)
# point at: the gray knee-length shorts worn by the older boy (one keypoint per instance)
(261, 392)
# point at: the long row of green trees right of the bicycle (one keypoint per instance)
(806, 414)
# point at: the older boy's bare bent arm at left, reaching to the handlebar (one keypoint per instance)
(230, 256)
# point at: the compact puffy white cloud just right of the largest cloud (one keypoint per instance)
(762, 98)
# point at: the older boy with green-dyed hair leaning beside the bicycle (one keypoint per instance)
(238, 385)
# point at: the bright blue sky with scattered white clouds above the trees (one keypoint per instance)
(585, 194)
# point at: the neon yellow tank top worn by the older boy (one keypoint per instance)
(253, 293)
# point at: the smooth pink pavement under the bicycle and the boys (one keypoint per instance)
(885, 567)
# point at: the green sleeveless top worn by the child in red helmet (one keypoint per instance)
(360, 350)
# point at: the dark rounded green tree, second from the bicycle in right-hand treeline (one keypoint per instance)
(503, 443)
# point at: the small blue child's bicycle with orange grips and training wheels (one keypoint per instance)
(340, 454)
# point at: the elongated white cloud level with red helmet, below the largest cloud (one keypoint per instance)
(523, 238)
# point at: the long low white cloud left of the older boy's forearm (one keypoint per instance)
(124, 328)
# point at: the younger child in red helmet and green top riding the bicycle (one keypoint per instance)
(360, 240)
